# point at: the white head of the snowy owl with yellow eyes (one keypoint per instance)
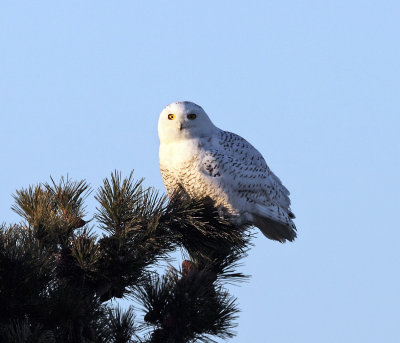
(184, 120)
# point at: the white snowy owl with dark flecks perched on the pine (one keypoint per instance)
(205, 161)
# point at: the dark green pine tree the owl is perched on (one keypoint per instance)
(58, 276)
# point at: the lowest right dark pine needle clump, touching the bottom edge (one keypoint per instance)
(184, 307)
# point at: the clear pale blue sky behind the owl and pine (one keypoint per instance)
(314, 85)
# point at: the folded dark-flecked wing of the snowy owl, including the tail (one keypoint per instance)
(237, 170)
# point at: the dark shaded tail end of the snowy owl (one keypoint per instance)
(280, 230)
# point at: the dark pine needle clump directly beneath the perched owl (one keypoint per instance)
(208, 239)
